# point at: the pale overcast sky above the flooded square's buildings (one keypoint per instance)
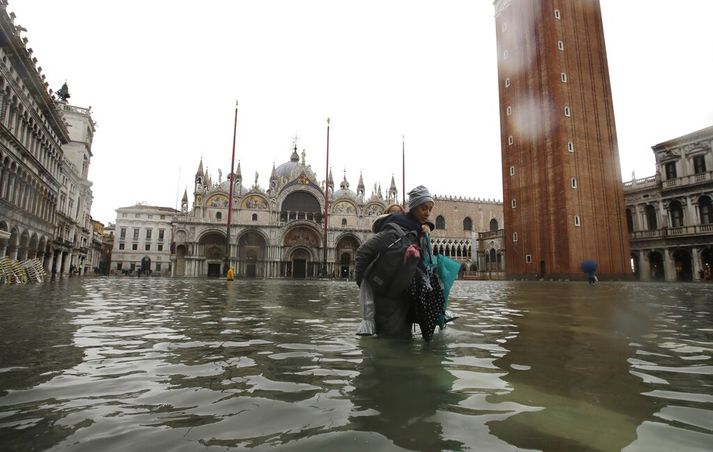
(162, 78)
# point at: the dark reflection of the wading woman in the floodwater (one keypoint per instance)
(400, 388)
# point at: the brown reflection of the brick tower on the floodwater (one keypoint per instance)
(571, 359)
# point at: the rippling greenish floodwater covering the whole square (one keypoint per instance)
(136, 364)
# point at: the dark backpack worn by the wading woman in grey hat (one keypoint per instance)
(390, 273)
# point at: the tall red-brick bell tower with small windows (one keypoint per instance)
(563, 197)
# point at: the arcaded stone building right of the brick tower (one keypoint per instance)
(670, 214)
